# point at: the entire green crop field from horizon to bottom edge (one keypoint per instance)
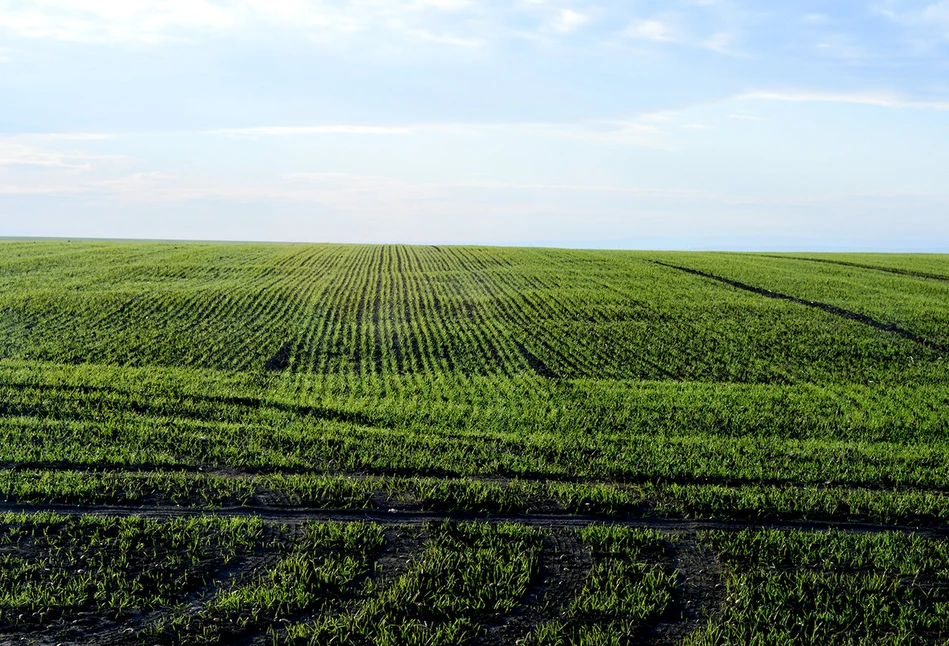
(208, 443)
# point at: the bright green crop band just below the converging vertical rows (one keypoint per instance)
(132, 396)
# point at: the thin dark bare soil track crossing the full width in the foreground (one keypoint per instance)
(297, 515)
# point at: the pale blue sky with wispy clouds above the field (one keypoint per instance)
(683, 124)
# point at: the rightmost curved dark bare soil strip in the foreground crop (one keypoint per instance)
(699, 593)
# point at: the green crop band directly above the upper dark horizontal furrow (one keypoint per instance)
(341, 448)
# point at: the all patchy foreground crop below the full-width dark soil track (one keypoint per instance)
(201, 580)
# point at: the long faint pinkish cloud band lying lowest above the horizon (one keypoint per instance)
(364, 194)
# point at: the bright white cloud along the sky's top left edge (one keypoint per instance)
(387, 25)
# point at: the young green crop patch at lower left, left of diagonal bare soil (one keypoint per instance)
(111, 565)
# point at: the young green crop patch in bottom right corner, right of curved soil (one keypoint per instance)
(810, 587)
